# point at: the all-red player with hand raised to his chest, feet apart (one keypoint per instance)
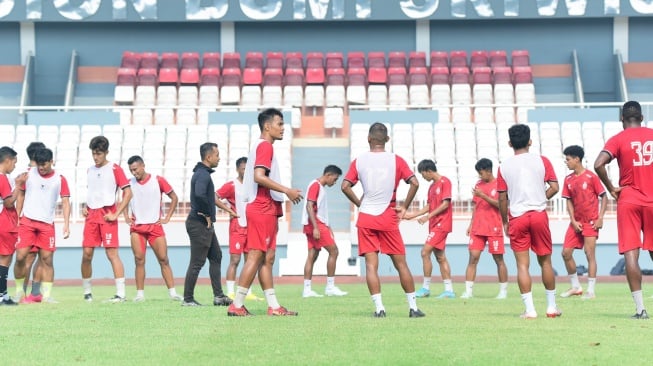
(485, 227)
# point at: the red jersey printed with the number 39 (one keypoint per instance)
(633, 149)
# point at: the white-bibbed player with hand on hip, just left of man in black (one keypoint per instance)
(146, 224)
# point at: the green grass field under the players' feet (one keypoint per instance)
(328, 331)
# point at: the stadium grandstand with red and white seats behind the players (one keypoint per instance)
(159, 78)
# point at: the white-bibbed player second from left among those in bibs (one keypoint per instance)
(101, 212)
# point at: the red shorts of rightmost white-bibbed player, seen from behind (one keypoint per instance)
(530, 231)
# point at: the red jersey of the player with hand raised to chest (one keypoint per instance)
(487, 218)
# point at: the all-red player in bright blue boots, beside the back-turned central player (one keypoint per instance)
(439, 214)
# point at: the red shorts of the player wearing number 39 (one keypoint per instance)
(633, 221)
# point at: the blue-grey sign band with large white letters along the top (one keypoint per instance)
(301, 10)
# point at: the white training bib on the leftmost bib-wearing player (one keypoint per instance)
(41, 196)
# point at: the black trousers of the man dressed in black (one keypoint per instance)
(203, 245)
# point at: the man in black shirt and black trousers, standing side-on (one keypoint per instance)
(200, 228)
